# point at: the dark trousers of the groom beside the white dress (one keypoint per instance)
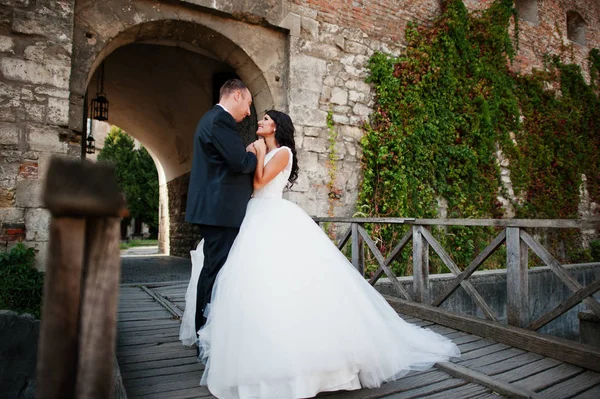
(217, 243)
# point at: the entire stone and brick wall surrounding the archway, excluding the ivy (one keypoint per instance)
(308, 57)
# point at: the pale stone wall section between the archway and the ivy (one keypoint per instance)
(328, 58)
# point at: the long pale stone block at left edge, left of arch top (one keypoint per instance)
(35, 72)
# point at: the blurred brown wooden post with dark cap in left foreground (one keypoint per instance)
(78, 323)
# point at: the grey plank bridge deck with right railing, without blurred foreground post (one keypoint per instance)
(497, 359)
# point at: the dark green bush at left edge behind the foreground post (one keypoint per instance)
(21, 285)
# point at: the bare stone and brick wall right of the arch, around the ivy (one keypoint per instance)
(330, 44)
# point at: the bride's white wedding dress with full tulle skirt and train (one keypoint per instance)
(291, 317)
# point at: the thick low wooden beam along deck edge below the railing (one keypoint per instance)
(556, 348)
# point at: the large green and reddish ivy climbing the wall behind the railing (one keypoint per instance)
(448, 104)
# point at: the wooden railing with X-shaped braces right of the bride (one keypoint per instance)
(513, 235)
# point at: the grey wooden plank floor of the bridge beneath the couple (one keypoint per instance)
(154, 364)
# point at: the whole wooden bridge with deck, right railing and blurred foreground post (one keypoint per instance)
(82, 310)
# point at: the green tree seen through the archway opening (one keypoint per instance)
(136, 175)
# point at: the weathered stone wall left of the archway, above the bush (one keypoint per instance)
(35, 68)
